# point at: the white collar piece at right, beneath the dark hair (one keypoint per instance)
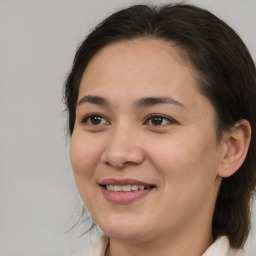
(221, 247)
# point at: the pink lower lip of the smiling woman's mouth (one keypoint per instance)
(124, 197)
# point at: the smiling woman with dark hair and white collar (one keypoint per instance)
(161, 105)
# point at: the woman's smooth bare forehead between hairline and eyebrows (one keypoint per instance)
(140, 65)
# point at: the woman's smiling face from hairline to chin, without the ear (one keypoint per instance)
(144, 149)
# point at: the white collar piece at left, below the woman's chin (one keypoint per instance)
(96, 249)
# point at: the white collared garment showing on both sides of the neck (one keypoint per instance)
(220, 247)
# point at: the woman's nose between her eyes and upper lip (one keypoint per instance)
(123, 148)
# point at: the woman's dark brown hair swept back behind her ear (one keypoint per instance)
(226, 75)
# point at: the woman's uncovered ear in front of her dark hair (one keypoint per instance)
(235, 147)
